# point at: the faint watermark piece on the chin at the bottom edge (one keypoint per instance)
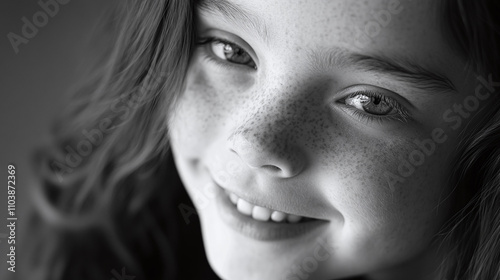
(303, 270)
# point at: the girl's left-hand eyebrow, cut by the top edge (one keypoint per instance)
(236, 15)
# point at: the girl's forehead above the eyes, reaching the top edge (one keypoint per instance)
(396, 28)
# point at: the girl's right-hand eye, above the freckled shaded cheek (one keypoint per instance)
(375, 106)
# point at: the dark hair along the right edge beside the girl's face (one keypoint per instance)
(472, 236)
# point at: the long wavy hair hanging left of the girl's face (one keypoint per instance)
(103, 203)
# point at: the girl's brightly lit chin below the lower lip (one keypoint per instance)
(234, 255)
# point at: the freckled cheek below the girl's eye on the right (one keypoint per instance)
(390, 192)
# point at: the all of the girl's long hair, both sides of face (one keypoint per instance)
(106, 201)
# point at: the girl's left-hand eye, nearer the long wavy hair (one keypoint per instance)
(228, 51)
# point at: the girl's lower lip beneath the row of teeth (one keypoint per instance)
(259, 230)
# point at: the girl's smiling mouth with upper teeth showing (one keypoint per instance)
(261, 223)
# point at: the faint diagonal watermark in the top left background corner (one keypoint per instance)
(30, 28)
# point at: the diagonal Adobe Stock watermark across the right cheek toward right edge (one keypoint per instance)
(453, 116)
